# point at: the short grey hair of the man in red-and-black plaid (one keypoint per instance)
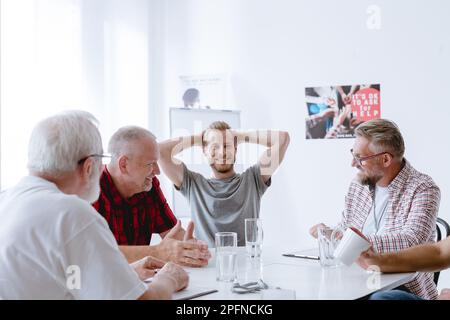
(119, 143)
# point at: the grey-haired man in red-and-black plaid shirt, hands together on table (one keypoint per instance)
(134, 206)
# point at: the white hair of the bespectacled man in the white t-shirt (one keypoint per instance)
(59, 142)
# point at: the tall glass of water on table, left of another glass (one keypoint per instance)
(226, 256)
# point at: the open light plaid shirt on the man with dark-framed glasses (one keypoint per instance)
(410, 218)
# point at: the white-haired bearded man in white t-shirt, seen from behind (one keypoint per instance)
(53, 244)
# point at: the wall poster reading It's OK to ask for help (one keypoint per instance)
(334, 112)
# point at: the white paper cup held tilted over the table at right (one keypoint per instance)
(353, 243)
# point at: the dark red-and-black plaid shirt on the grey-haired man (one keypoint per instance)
(133, 220)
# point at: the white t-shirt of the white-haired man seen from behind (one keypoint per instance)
(44, 233)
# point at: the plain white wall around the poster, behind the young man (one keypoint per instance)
(273, 49)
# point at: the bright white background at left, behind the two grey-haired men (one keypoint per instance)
(71, 54)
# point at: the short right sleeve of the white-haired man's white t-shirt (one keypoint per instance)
(104, 272)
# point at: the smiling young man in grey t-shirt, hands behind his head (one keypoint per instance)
(223, 202)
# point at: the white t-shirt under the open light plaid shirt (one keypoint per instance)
(376, 220)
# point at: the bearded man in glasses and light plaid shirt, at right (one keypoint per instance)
(393, 204)
